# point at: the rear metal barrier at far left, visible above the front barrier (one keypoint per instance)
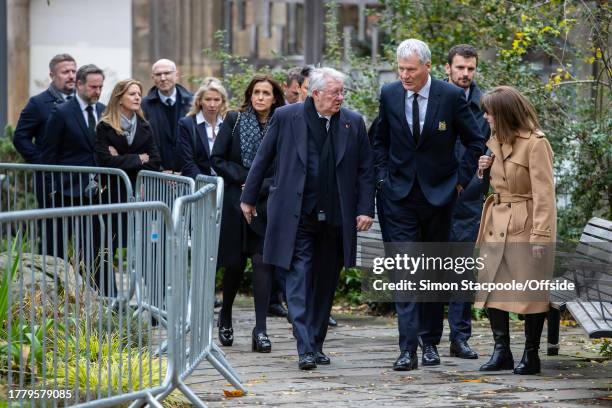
(29, 186)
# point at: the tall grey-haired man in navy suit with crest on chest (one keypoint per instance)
(419, 121)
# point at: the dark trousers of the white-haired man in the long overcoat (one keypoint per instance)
(311, 281)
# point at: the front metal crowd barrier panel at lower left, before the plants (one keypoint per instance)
(64, 334)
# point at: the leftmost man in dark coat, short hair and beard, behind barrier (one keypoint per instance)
(33, 118)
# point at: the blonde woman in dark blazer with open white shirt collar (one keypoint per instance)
(196, 133)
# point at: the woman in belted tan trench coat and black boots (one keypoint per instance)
(518, 224)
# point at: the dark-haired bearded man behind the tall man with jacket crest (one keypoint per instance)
(461, 68)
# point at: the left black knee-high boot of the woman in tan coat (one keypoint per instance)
(501, 359)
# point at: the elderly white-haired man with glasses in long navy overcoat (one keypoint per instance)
(323, 193)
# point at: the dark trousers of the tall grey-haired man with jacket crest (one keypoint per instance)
(414, 219)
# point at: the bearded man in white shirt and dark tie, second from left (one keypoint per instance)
(69, 140)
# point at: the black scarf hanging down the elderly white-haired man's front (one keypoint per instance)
(328, 198)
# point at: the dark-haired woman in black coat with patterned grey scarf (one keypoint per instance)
(239, 138)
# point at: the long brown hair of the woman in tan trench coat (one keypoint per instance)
(511, 112)
